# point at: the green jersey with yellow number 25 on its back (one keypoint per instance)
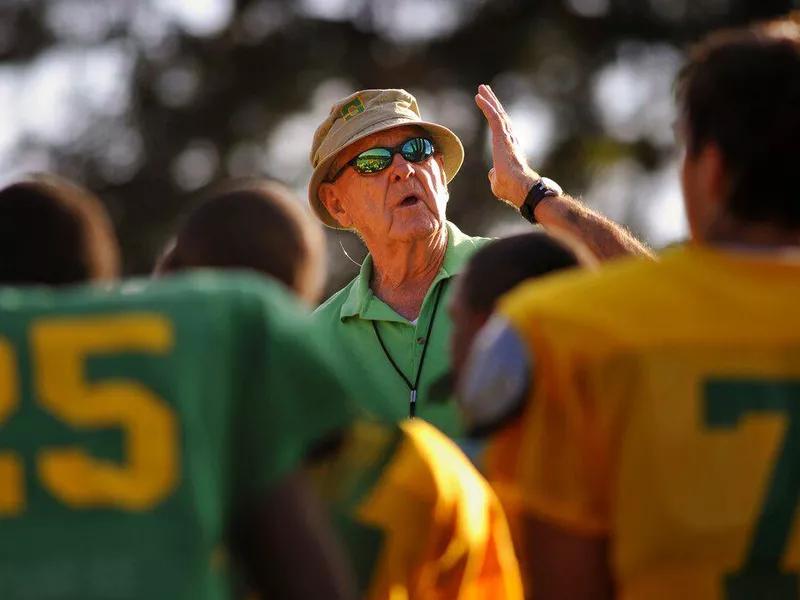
(135, 422)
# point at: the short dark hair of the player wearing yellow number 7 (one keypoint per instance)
(740, 90)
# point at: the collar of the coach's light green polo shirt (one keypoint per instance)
(363, 303)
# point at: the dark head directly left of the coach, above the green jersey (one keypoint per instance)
(251, 224)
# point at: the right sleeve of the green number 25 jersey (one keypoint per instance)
(292, 398)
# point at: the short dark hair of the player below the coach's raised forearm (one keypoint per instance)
(503, 264)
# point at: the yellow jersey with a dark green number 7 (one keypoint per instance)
(663, 410)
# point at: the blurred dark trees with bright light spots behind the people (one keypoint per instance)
(146, 101)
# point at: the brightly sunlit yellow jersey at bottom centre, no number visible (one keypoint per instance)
(417, 519)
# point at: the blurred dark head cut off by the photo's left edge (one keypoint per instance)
(53, 232)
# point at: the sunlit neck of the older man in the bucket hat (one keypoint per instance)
(403, 272)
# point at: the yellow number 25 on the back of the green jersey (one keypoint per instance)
(59, 348)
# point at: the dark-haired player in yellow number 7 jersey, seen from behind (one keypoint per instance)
(660, 401)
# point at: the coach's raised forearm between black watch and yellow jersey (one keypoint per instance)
(601, 236)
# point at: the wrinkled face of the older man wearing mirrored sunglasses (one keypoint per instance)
(406, 201)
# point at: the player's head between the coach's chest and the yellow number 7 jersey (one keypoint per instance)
(495, 269)
